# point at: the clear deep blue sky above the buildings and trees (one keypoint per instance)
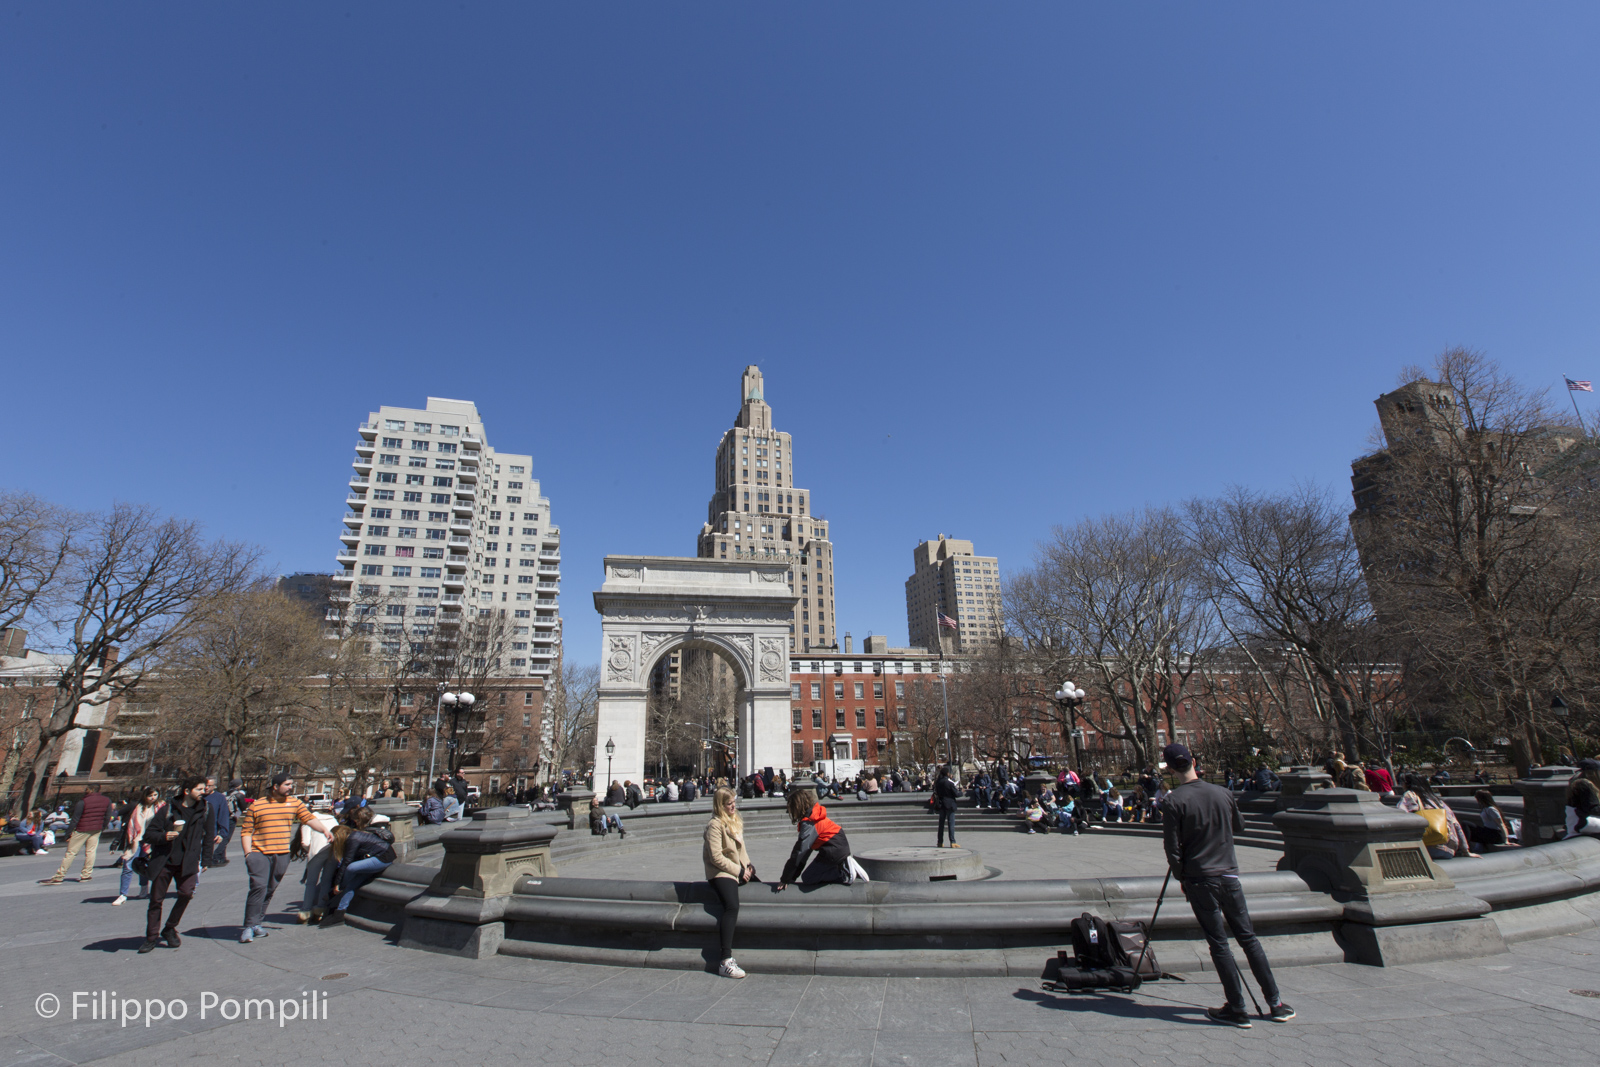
(1004, 265)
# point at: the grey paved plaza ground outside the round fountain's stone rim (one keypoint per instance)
(396, 1007)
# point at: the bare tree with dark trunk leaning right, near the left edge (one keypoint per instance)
(130, 593)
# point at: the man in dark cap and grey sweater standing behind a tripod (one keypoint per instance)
(1199, 825)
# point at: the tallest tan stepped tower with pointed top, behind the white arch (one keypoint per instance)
(759, 513)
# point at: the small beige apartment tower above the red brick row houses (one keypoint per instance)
(950, 580)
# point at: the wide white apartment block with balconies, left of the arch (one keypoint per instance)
(441, 524)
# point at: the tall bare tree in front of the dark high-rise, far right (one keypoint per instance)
(1479, 541)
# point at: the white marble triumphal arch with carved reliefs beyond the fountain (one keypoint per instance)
(652, 605)
